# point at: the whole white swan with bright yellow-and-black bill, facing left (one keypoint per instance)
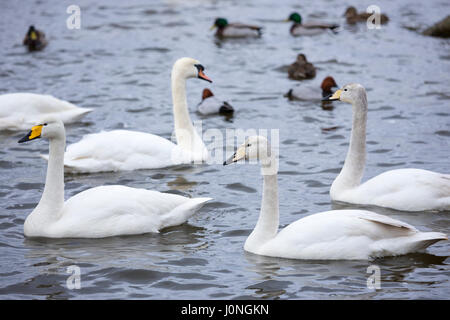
(102, 211)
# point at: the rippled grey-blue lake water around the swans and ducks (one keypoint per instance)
(119, 64)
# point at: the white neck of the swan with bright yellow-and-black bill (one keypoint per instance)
(53, 196)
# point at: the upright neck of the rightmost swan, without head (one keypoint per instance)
(353, 170)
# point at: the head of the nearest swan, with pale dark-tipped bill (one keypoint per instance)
(254, 148)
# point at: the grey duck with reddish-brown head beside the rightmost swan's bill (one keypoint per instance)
(312, 92)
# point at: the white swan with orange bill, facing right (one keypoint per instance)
(124, 150)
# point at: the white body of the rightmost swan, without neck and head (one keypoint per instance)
(403, 189)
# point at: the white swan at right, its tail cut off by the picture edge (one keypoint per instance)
(406, 189)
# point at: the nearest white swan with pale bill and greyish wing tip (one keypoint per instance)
(329, 235)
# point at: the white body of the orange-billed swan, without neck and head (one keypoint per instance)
(126, 150)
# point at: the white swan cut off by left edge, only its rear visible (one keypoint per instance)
(18, 111)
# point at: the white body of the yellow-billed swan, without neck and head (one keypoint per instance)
(114, 210)
